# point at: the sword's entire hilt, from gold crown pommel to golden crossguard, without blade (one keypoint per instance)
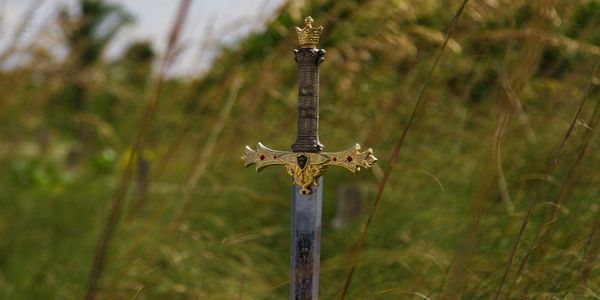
(306, 162)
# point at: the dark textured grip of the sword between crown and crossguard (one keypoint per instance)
(308, 60)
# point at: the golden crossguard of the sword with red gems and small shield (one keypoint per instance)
(306, 167)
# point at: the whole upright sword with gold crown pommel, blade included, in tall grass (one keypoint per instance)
(306, 164)
